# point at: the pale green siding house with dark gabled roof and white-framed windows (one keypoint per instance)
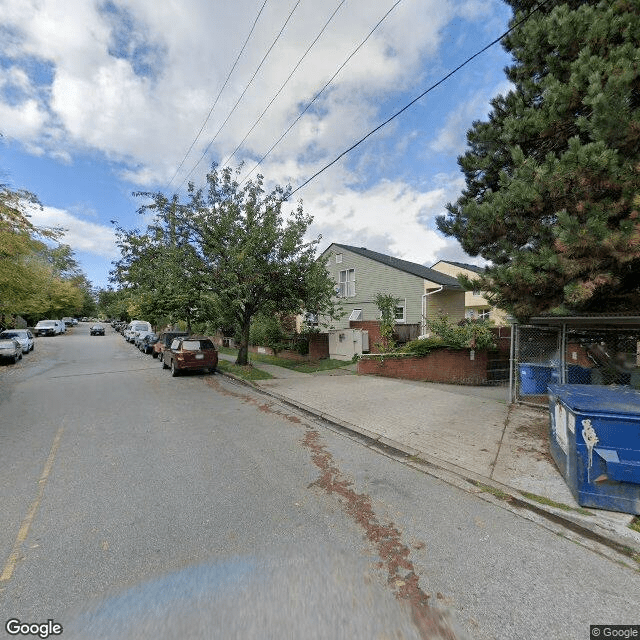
(360, 274)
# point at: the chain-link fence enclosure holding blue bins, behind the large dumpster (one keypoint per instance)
(573, 355)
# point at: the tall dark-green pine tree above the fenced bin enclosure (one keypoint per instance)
(553, 177)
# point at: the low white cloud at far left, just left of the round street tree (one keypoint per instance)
(79, 234)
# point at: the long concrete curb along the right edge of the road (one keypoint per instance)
(504, 494)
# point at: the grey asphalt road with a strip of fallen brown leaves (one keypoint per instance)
(138, 505)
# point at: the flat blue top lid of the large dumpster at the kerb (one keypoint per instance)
(598, 398)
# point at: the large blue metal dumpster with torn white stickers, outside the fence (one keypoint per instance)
(595, 441)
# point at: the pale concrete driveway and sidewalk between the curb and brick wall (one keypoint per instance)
(471, 432)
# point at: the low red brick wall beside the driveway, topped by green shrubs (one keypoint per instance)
(441, 365)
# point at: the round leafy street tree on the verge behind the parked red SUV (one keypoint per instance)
(231, 251)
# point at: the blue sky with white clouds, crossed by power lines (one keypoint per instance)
(99, 99)
